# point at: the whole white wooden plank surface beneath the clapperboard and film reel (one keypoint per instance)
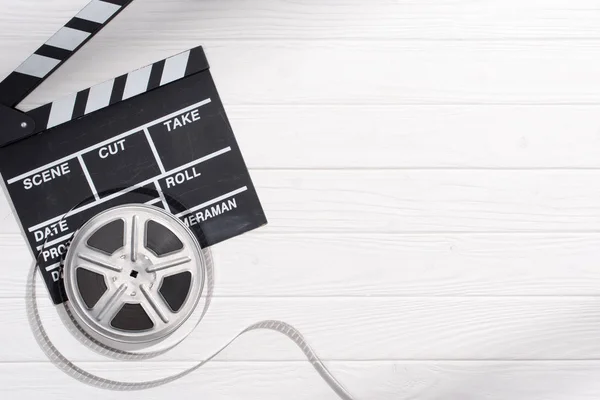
(431, 173)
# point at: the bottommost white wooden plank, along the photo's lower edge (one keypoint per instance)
(432, 380)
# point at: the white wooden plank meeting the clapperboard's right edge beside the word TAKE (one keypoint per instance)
(400, 136)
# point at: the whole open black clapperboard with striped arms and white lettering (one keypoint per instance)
(158, 135)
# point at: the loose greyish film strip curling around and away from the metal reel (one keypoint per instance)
(69, 319)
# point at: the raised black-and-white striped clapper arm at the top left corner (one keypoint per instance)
(58, 49)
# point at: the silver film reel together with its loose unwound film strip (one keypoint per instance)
(97, 238)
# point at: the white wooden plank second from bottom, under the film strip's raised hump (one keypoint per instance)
(375, 328)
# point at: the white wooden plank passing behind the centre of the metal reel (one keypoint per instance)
(261, 265)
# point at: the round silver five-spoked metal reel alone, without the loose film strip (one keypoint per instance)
(133, 274)
